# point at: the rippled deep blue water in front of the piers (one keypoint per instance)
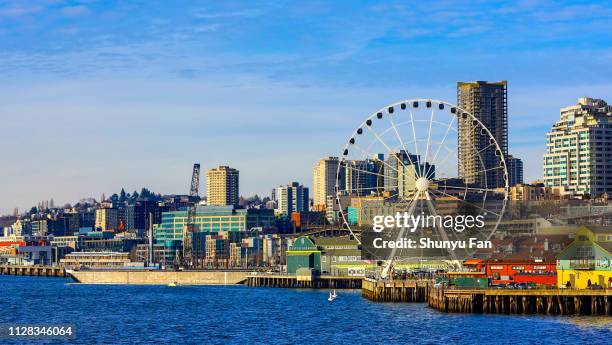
(113, 314)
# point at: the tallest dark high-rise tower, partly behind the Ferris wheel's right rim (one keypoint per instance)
(487, 101)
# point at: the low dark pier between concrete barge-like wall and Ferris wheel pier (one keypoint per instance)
(294, 281)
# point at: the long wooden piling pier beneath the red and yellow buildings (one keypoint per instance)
(510, 301)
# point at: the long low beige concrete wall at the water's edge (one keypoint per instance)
(146, 277)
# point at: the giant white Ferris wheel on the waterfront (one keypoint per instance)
(422, 157)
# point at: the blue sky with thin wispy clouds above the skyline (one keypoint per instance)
(99, 95)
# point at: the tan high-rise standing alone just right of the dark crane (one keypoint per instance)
(222, 186)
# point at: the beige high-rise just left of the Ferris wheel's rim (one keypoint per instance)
(324, 181)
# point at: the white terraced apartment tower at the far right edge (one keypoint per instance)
(579, 149)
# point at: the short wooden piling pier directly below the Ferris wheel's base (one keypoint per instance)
(396, 290)
